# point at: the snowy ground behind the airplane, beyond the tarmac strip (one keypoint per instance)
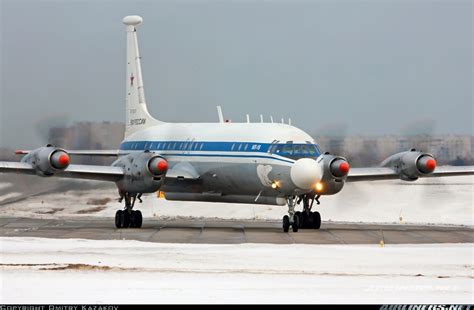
(433, 200)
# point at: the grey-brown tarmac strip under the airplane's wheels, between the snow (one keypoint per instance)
(217, 231)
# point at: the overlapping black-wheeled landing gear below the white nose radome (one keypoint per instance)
(302, 219)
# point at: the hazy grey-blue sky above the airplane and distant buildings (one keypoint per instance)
(365, 67)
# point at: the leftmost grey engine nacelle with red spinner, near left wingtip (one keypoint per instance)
(47, 160)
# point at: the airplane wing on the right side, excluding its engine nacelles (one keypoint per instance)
(385, 173)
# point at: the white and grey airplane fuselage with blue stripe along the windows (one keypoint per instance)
(235, 162)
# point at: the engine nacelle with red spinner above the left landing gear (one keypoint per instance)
(144, 172)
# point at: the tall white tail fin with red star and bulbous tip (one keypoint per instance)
(137, 116)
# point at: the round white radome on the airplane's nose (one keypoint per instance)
(305, 173)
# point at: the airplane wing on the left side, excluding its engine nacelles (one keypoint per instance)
(89, 172)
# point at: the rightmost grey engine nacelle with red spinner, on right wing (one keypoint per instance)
(411, 165)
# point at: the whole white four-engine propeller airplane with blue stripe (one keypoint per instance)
(255, 163)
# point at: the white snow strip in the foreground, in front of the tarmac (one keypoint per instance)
(35, 270)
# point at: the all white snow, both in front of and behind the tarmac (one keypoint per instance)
(35, 270)
